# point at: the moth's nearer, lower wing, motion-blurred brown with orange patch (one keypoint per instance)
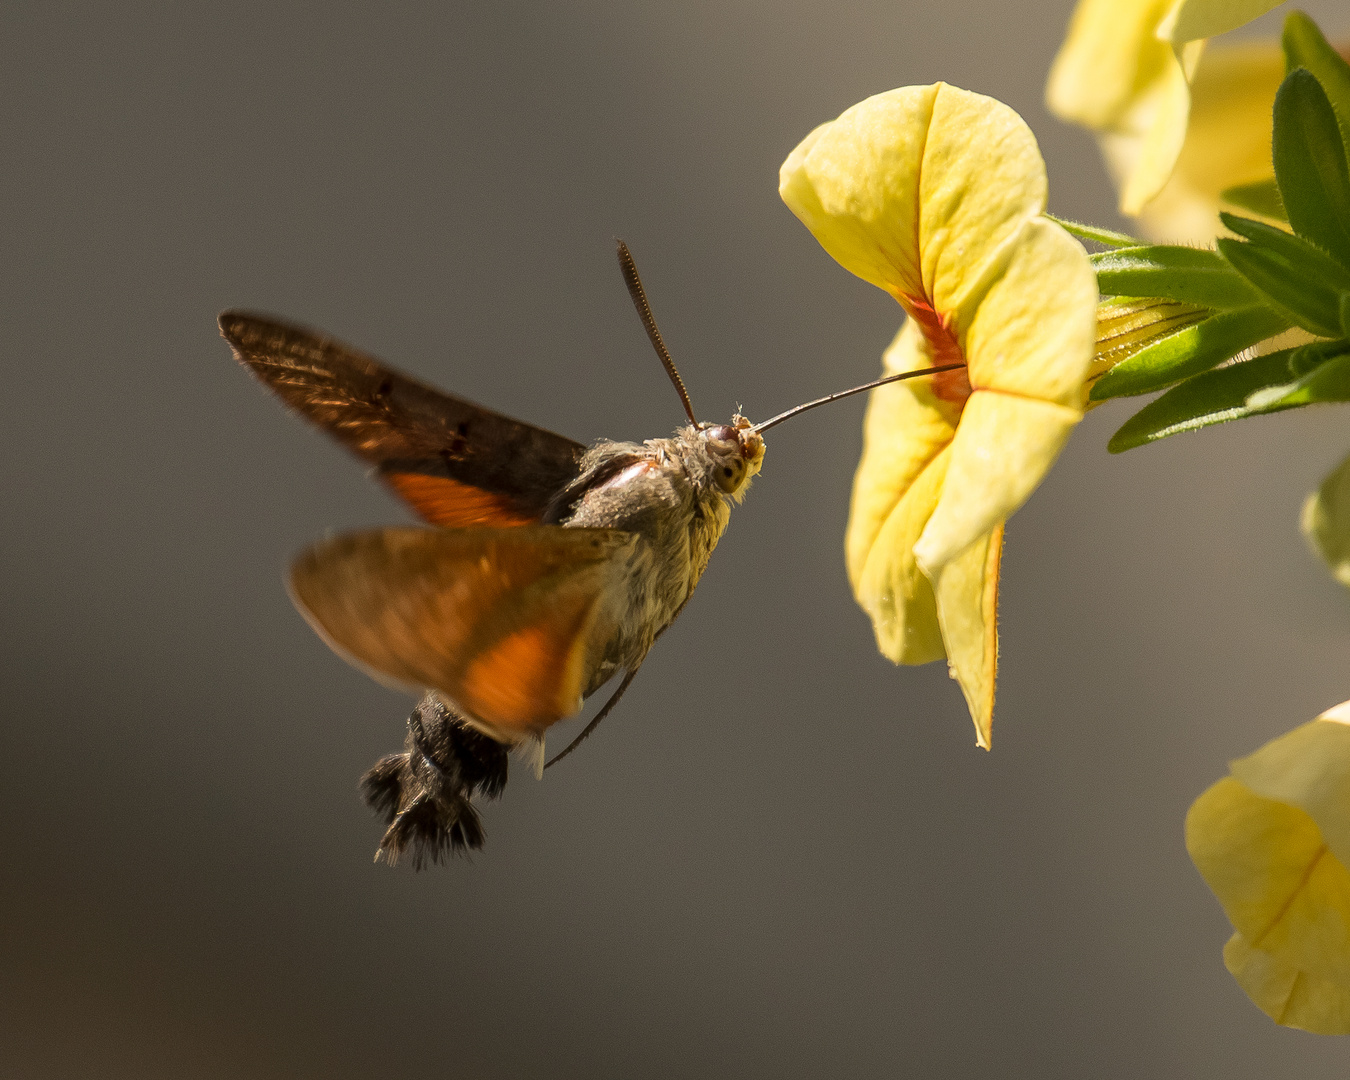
(507, 624)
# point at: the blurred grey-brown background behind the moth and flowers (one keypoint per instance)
(782, 858)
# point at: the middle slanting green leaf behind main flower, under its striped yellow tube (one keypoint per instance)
(1193, 350)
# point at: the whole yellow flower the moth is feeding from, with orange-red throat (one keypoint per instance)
(935, 195)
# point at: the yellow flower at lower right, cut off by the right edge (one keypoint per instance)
(1274, 843)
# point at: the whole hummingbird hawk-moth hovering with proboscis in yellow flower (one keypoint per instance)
(546, 568)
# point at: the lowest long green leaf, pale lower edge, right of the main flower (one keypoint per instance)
(1210, 399)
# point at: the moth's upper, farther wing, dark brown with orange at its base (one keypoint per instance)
(457, 464)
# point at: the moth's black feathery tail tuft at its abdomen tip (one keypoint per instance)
(426, 793)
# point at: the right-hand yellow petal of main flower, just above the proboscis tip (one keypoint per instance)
(1035, 331)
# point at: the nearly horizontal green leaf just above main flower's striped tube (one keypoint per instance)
(1186, 275)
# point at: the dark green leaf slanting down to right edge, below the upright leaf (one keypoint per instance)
(1291, 273)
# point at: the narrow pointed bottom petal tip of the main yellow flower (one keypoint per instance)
(967, 608)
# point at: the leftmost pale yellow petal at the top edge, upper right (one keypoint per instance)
(1109, 57)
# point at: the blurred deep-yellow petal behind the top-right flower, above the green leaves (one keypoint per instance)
(1228, 141)
